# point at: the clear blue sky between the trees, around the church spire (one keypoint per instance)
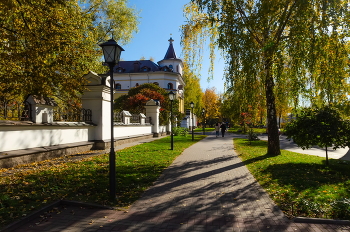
(159, 19)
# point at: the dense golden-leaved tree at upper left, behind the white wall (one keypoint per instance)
(47, 46)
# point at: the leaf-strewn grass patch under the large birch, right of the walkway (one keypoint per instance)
(301, 185)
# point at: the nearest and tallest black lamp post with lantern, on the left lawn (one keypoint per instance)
(111, 53)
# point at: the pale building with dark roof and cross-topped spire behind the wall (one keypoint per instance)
(167, 74)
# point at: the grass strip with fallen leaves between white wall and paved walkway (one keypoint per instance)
(26, 188)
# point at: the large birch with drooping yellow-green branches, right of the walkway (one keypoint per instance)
(305, 40)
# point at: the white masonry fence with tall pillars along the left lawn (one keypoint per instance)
(43, 133)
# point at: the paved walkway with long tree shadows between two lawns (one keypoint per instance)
(207, 188)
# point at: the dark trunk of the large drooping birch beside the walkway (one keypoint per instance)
(273, 147)
